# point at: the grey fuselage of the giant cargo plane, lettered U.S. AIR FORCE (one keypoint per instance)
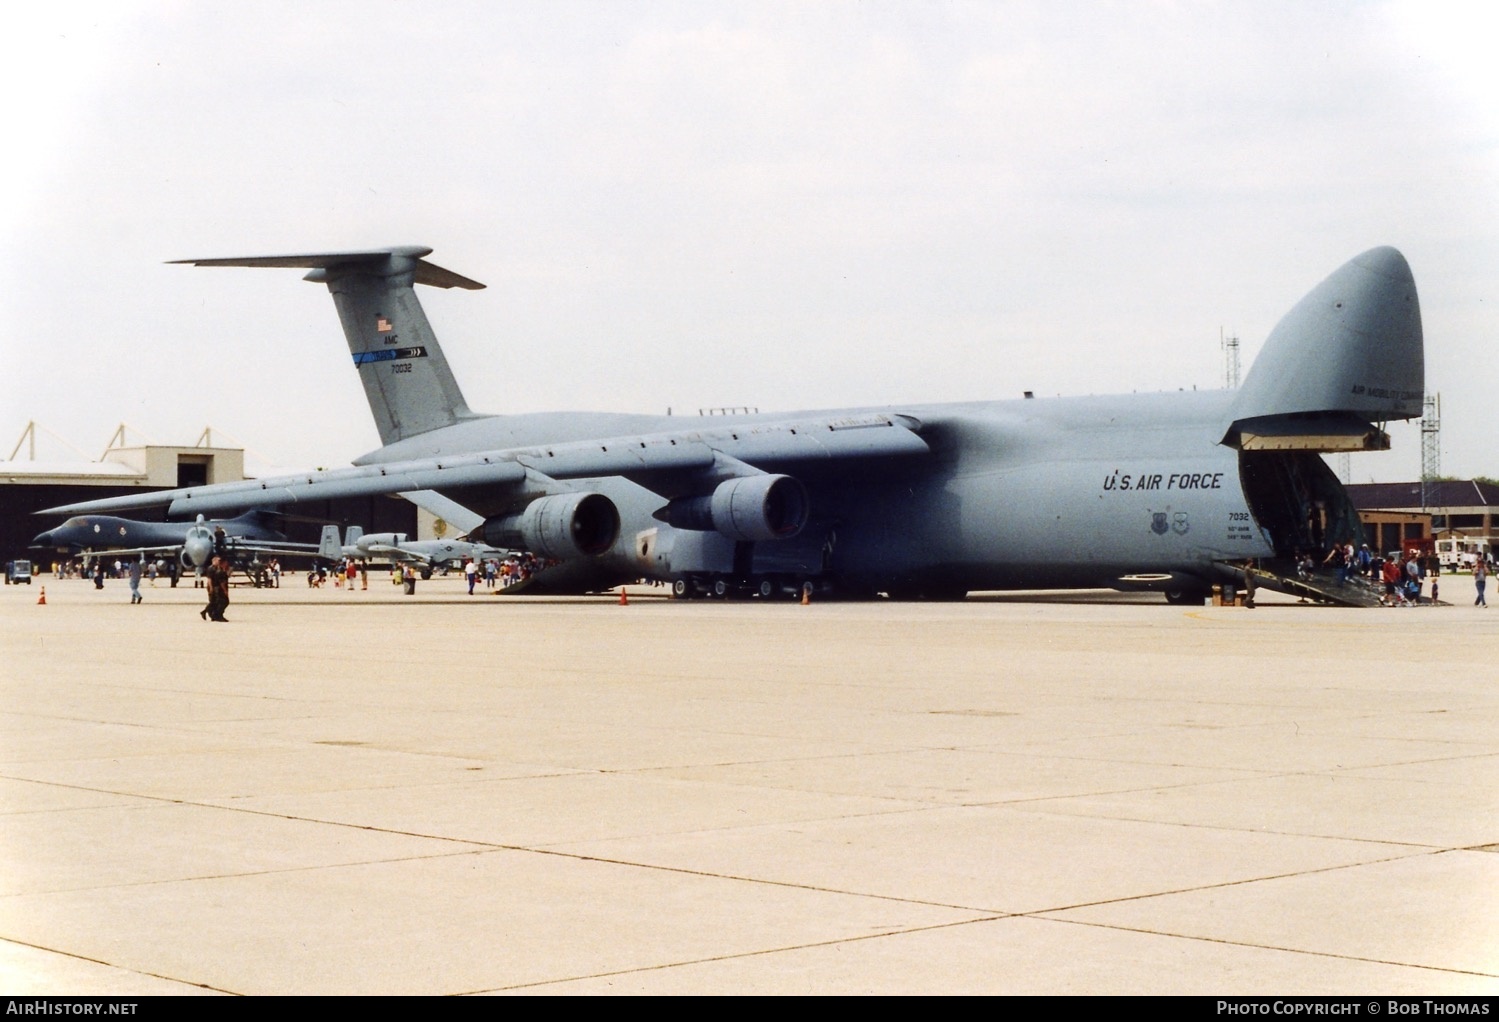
(1112, 491)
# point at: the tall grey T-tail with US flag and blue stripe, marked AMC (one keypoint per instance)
(407, 378)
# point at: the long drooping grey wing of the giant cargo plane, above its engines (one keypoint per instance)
(669, 464)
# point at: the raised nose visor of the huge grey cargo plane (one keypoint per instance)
(1347, 356)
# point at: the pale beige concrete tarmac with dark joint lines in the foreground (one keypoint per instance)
(1073, 793)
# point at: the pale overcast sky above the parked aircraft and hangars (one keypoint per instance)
(714, 205)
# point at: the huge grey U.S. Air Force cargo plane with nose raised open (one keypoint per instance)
(1168, 492)
